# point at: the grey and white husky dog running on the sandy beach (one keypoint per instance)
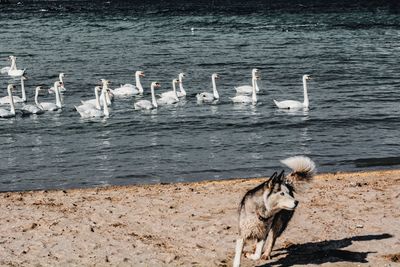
(266, 210)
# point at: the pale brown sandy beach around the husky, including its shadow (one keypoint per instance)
(343, 219)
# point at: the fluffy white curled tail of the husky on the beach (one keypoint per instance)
(303, 168)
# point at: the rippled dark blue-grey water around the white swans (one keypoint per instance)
(351, 51)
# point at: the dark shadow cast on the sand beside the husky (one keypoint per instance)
(323, 252)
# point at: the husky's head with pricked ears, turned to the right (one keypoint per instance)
(277, 195)
